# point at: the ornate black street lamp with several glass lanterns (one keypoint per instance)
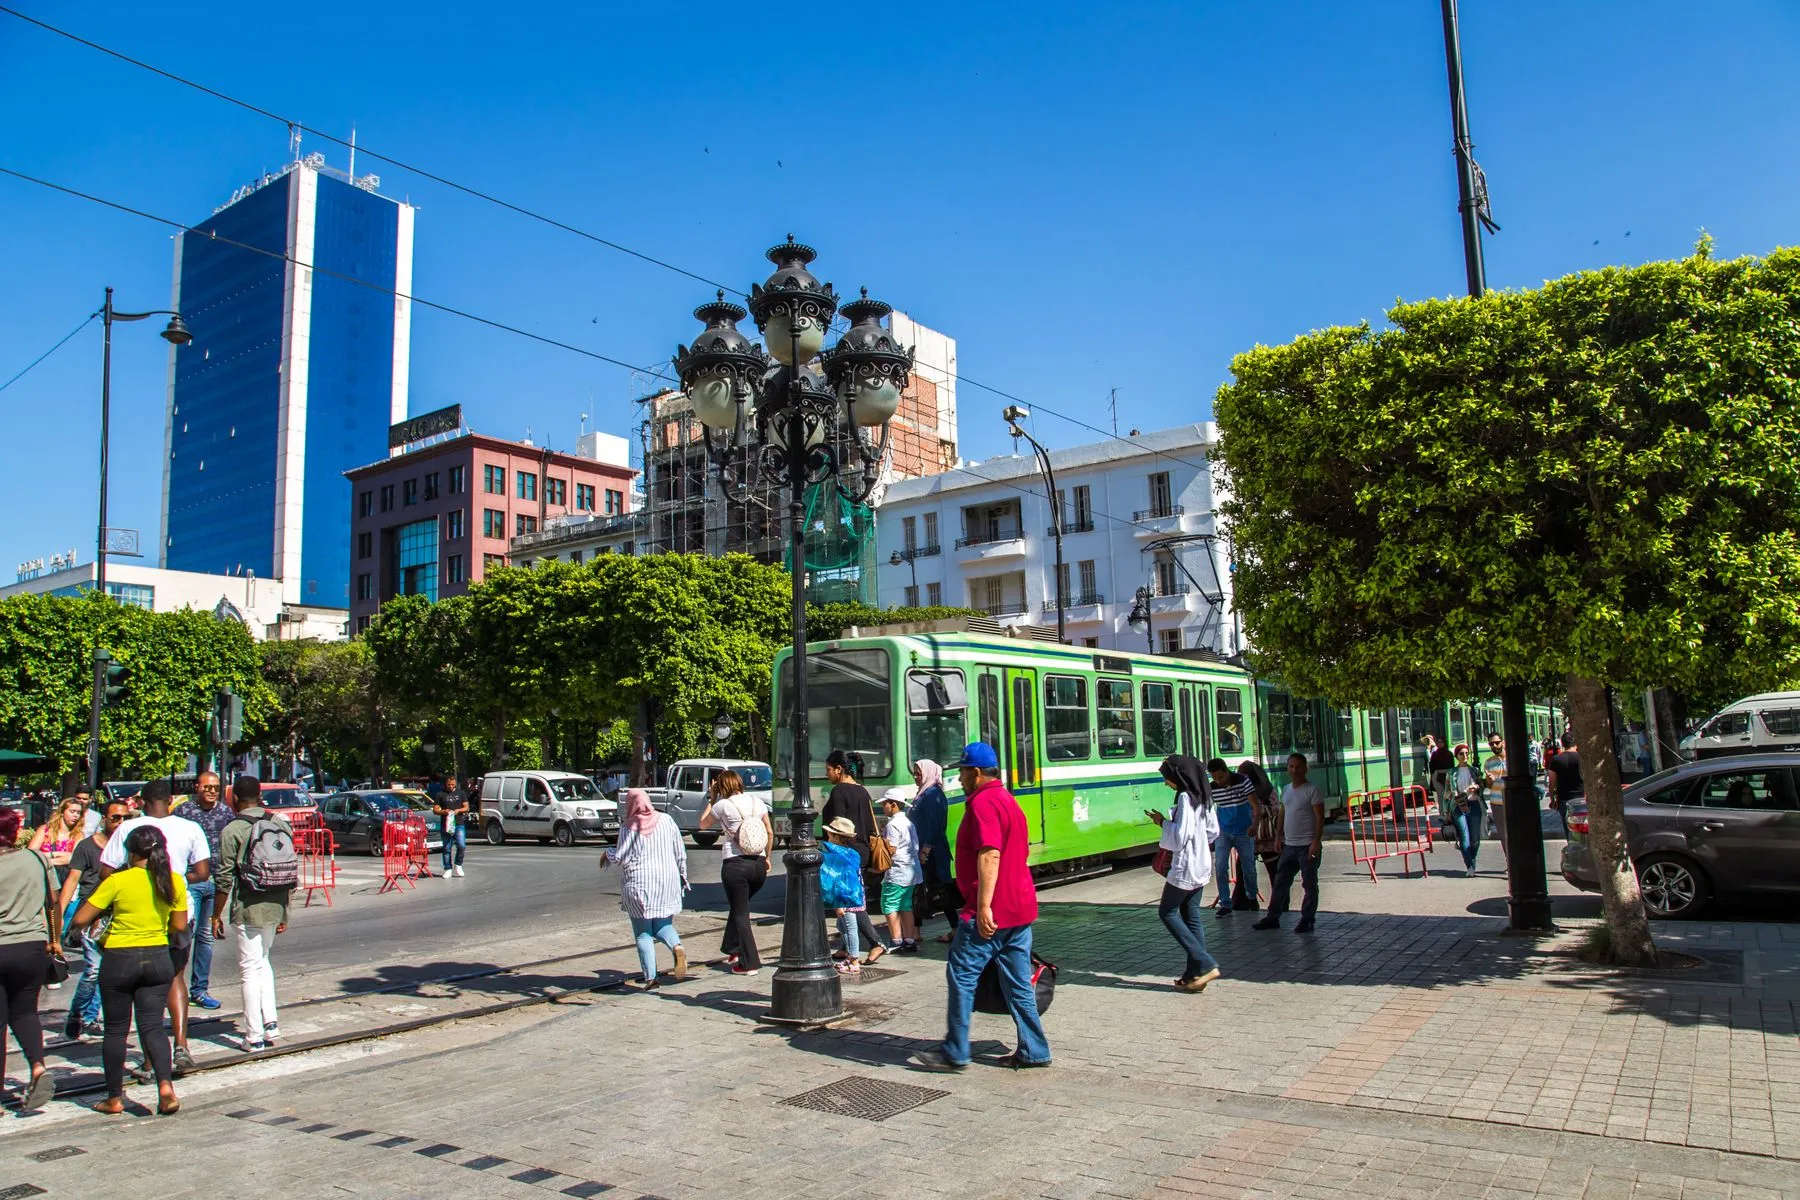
(775, 413)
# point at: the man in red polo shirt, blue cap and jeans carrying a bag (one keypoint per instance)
(1000, 904)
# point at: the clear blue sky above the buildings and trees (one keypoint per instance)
(1086, 197)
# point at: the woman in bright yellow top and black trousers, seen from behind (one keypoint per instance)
(147, 902)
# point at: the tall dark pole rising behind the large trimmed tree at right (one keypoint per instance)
(1527, 890)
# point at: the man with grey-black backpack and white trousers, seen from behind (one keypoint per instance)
(256, 875)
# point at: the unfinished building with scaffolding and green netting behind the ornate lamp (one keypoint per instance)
(687, 510)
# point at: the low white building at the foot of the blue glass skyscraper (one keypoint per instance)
(258, 604)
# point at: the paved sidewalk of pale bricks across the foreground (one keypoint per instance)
(1390, 1053)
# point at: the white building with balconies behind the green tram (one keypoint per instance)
(1138, 514)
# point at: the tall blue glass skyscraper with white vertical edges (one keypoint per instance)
(298, 368)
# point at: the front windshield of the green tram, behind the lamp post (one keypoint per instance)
(849, 708)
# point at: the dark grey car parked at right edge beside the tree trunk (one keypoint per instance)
(1718, 827)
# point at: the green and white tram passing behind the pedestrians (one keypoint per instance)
(1079, 731)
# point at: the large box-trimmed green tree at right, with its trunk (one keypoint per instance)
(1588, 485)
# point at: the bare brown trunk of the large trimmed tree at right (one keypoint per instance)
(1626, 918)
